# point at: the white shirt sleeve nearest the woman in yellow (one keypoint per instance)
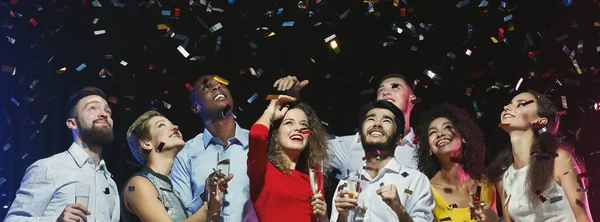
(420, 204)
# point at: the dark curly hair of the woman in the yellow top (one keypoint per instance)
(473, 150)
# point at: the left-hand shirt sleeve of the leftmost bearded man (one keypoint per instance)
(33, 196)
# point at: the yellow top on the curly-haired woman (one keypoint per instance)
(443, 211)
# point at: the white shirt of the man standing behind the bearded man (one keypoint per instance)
(347, 152)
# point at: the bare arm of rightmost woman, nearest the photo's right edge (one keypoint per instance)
(570, 183)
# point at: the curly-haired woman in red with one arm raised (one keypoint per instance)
(285, 144)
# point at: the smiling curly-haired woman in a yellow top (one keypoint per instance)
(451, 153)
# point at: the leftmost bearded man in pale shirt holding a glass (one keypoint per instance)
(75, 184)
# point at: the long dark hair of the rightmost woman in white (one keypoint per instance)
(541, 169)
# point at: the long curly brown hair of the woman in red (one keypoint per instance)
(315, 152)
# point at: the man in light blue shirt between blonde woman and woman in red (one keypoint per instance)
(222, 139)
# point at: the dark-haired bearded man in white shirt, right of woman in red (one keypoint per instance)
(390, 191)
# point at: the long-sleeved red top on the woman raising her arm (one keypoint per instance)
(276, 196)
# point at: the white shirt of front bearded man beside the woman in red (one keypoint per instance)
(413, 188)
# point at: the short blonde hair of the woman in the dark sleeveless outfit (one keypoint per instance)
(138, 131)
